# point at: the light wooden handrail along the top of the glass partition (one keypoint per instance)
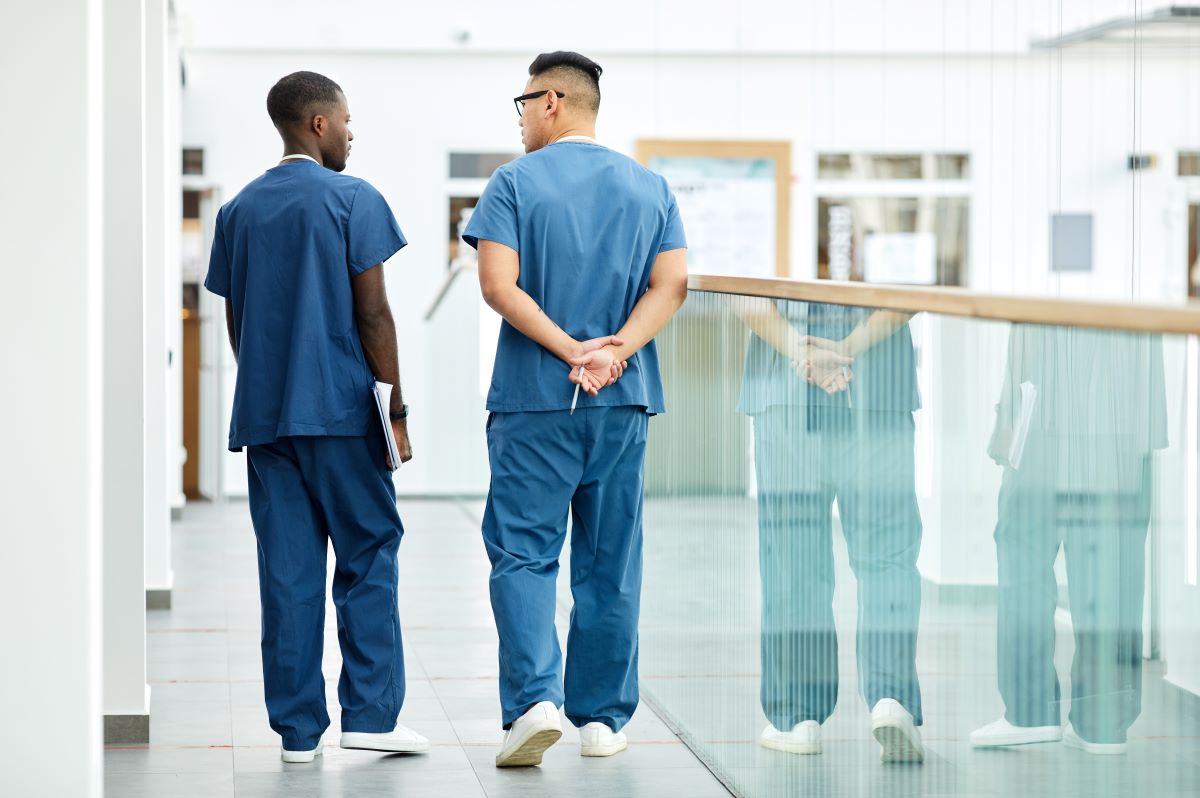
(957, 302)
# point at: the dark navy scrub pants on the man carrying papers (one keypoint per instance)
(307, 491)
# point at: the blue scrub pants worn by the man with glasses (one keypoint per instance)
(544, 465)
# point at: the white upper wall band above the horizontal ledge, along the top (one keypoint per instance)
(661, 27)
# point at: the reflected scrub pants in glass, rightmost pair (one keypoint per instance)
(1091, 499)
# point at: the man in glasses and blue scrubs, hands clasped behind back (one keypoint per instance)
(575, 243)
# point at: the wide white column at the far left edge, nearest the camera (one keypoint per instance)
(50, 463)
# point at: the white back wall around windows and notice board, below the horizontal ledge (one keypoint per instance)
(412, 110)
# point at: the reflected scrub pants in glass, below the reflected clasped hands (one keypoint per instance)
(806, 458)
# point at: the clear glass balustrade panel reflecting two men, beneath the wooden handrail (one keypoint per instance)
(975, 519)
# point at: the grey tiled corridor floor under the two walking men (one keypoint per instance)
(209, 736)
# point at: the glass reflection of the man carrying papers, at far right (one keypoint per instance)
(1081, 416)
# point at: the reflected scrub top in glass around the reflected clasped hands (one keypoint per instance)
(885, 375)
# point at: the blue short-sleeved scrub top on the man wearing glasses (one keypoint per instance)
(589, 225)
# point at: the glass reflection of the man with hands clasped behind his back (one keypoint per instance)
(832, 392)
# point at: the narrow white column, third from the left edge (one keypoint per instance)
(158, 343)
